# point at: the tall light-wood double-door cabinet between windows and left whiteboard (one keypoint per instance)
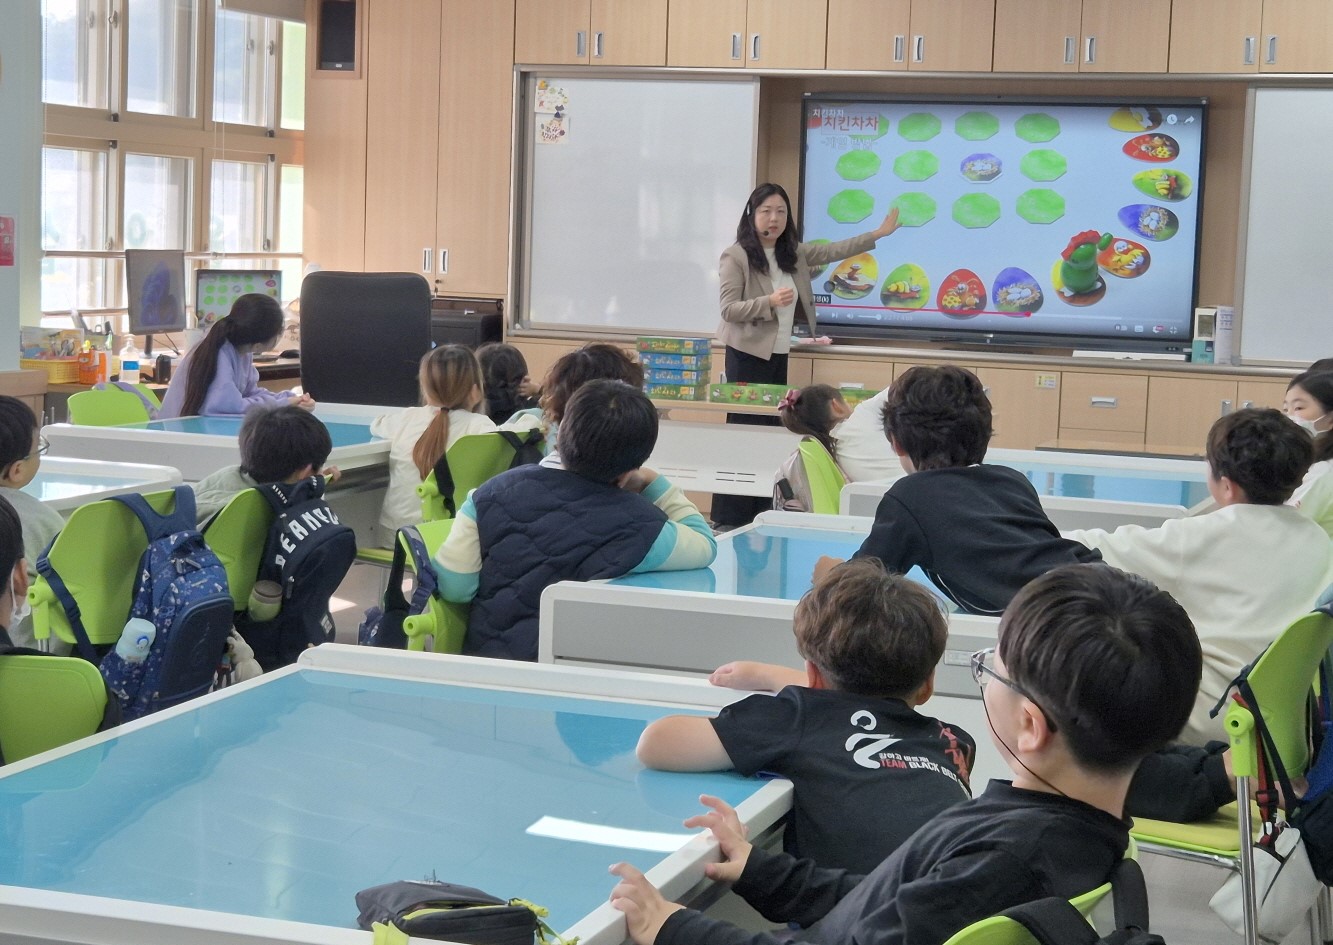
(438, 201)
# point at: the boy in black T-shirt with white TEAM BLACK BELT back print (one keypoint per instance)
(868, 770)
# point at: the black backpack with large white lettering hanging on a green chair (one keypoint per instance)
(309, 552)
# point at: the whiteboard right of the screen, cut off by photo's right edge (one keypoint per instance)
(1288, 231)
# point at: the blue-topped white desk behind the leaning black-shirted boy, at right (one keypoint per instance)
(1080, 491)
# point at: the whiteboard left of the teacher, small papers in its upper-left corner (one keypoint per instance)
(629, 211)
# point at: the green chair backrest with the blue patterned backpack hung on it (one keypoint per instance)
(97, 555)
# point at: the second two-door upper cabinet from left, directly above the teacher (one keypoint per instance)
(756, 34)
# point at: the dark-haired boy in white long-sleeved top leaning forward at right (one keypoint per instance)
(1244, 571)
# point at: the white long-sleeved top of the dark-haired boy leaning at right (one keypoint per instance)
(1243, 574)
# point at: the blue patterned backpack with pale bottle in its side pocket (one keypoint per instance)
(182, 590)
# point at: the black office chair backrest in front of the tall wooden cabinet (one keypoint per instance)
(363, 335)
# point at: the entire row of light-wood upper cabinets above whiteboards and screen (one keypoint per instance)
(1186, 37)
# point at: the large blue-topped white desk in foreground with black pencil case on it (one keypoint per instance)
(254, 815)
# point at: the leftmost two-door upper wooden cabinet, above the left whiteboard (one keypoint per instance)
(597, 33)
